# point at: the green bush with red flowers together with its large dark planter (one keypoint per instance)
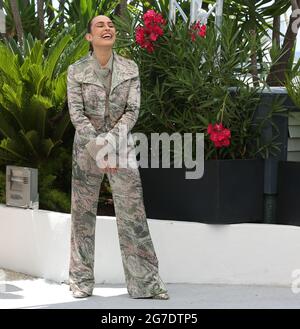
(187, 88)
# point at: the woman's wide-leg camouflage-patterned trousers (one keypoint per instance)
(139, 258)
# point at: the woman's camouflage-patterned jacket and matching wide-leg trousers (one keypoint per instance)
(96, 110)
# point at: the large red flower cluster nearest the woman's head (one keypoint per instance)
(145, 36)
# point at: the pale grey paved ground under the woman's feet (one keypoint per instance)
(22, 291)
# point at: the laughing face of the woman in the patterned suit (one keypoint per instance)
(103, 32)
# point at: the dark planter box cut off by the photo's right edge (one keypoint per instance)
(288, 199)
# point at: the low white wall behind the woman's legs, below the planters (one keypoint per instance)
(36, 242)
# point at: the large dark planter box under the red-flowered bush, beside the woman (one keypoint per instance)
(230, 191)
